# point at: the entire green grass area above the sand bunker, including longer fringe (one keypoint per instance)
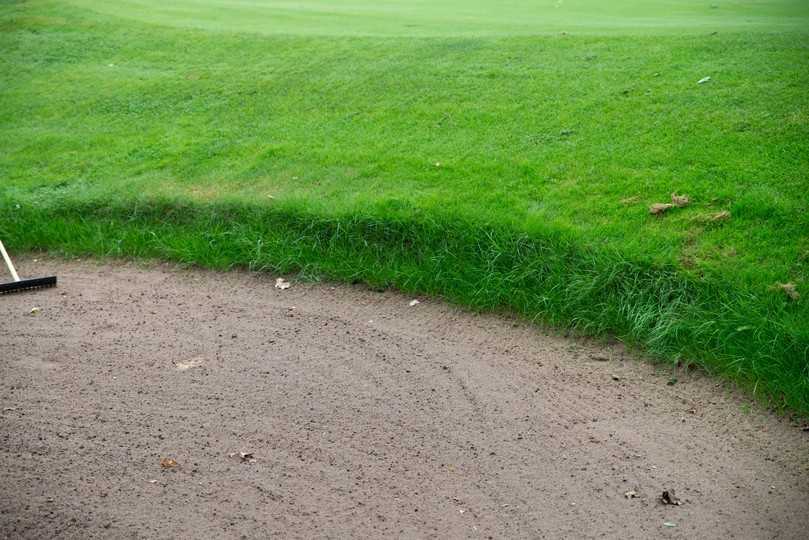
(500, 154)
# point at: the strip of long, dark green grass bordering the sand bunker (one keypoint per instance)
(756, 340)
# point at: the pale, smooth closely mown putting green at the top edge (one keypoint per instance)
(476, 18)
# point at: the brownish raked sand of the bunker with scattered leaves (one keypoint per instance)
(360, 416)
